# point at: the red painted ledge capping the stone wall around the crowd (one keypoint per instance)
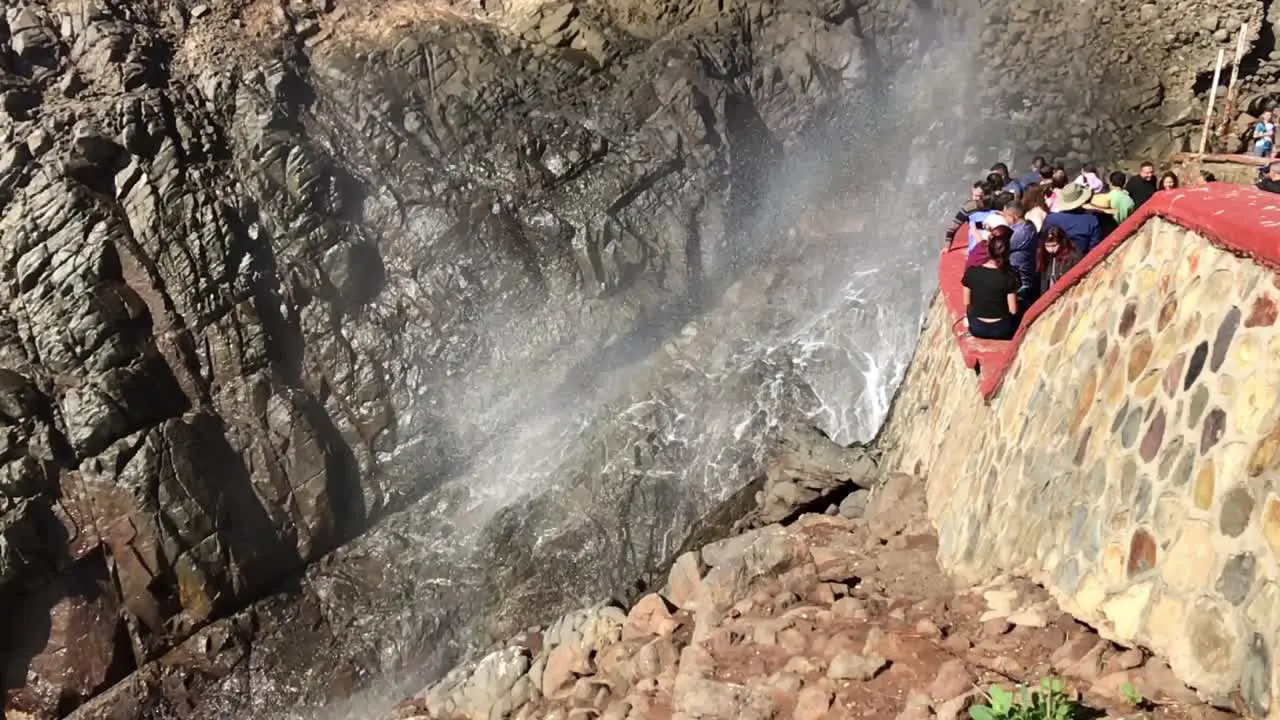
(1240, 220)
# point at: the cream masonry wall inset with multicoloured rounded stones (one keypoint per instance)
(1130, 461)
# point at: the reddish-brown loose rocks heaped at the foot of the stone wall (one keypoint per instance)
(819, 619)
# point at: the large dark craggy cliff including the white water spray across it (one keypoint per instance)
(340, 336)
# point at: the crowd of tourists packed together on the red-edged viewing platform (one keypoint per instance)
(1026, 233)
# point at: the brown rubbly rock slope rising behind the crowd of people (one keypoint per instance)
(1123, 80)
